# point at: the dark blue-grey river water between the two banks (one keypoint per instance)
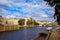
(22, 34)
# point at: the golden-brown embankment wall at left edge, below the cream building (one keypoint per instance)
(8, 27)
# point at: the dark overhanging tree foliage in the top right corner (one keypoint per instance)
(55, 3)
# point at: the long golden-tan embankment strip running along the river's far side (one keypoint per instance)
(17, 27)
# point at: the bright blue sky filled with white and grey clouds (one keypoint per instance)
(36, 9)
